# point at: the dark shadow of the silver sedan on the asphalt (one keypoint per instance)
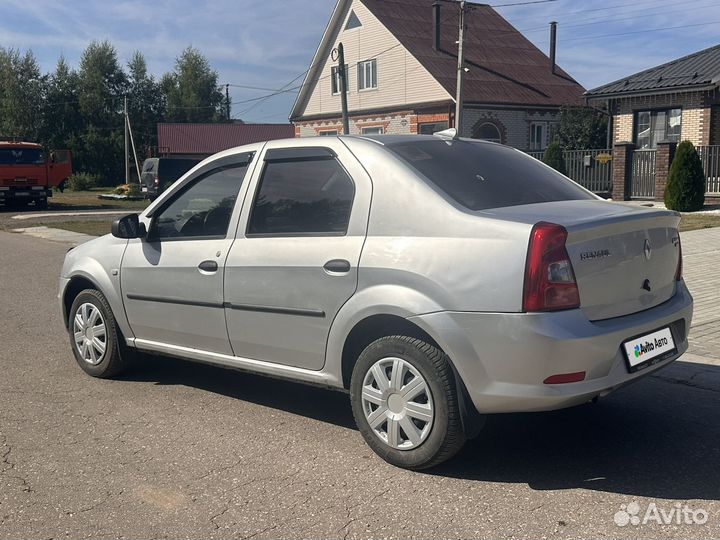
(657, 438)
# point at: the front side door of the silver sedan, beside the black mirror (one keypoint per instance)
(172, 281)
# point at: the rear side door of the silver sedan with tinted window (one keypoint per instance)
(295, 261)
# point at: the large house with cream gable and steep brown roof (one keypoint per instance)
(401, 56)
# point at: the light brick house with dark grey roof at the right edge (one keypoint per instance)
(655, 109)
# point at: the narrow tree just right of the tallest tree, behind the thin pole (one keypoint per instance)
(145, 103)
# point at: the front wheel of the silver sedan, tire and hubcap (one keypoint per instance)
(94, 360)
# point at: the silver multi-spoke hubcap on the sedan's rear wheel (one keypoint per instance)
(397, 403)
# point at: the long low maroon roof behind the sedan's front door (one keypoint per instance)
(212, 138)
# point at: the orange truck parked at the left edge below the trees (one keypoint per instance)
(28, 175)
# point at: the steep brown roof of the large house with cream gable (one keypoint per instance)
(505, 68)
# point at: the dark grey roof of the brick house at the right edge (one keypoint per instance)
(700, 69)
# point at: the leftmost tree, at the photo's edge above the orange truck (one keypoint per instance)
(22, 88)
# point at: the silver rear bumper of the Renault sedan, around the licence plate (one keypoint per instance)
(503, 358)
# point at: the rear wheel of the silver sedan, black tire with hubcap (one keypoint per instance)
(436, 433)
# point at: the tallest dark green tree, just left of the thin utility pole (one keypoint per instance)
(101, 85)
